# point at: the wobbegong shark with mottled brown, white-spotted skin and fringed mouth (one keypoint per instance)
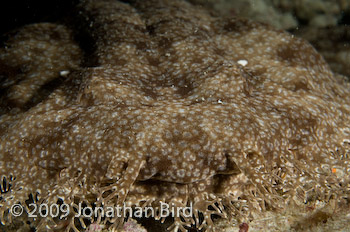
(172, 105)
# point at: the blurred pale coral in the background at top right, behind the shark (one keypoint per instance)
(283, 14)
